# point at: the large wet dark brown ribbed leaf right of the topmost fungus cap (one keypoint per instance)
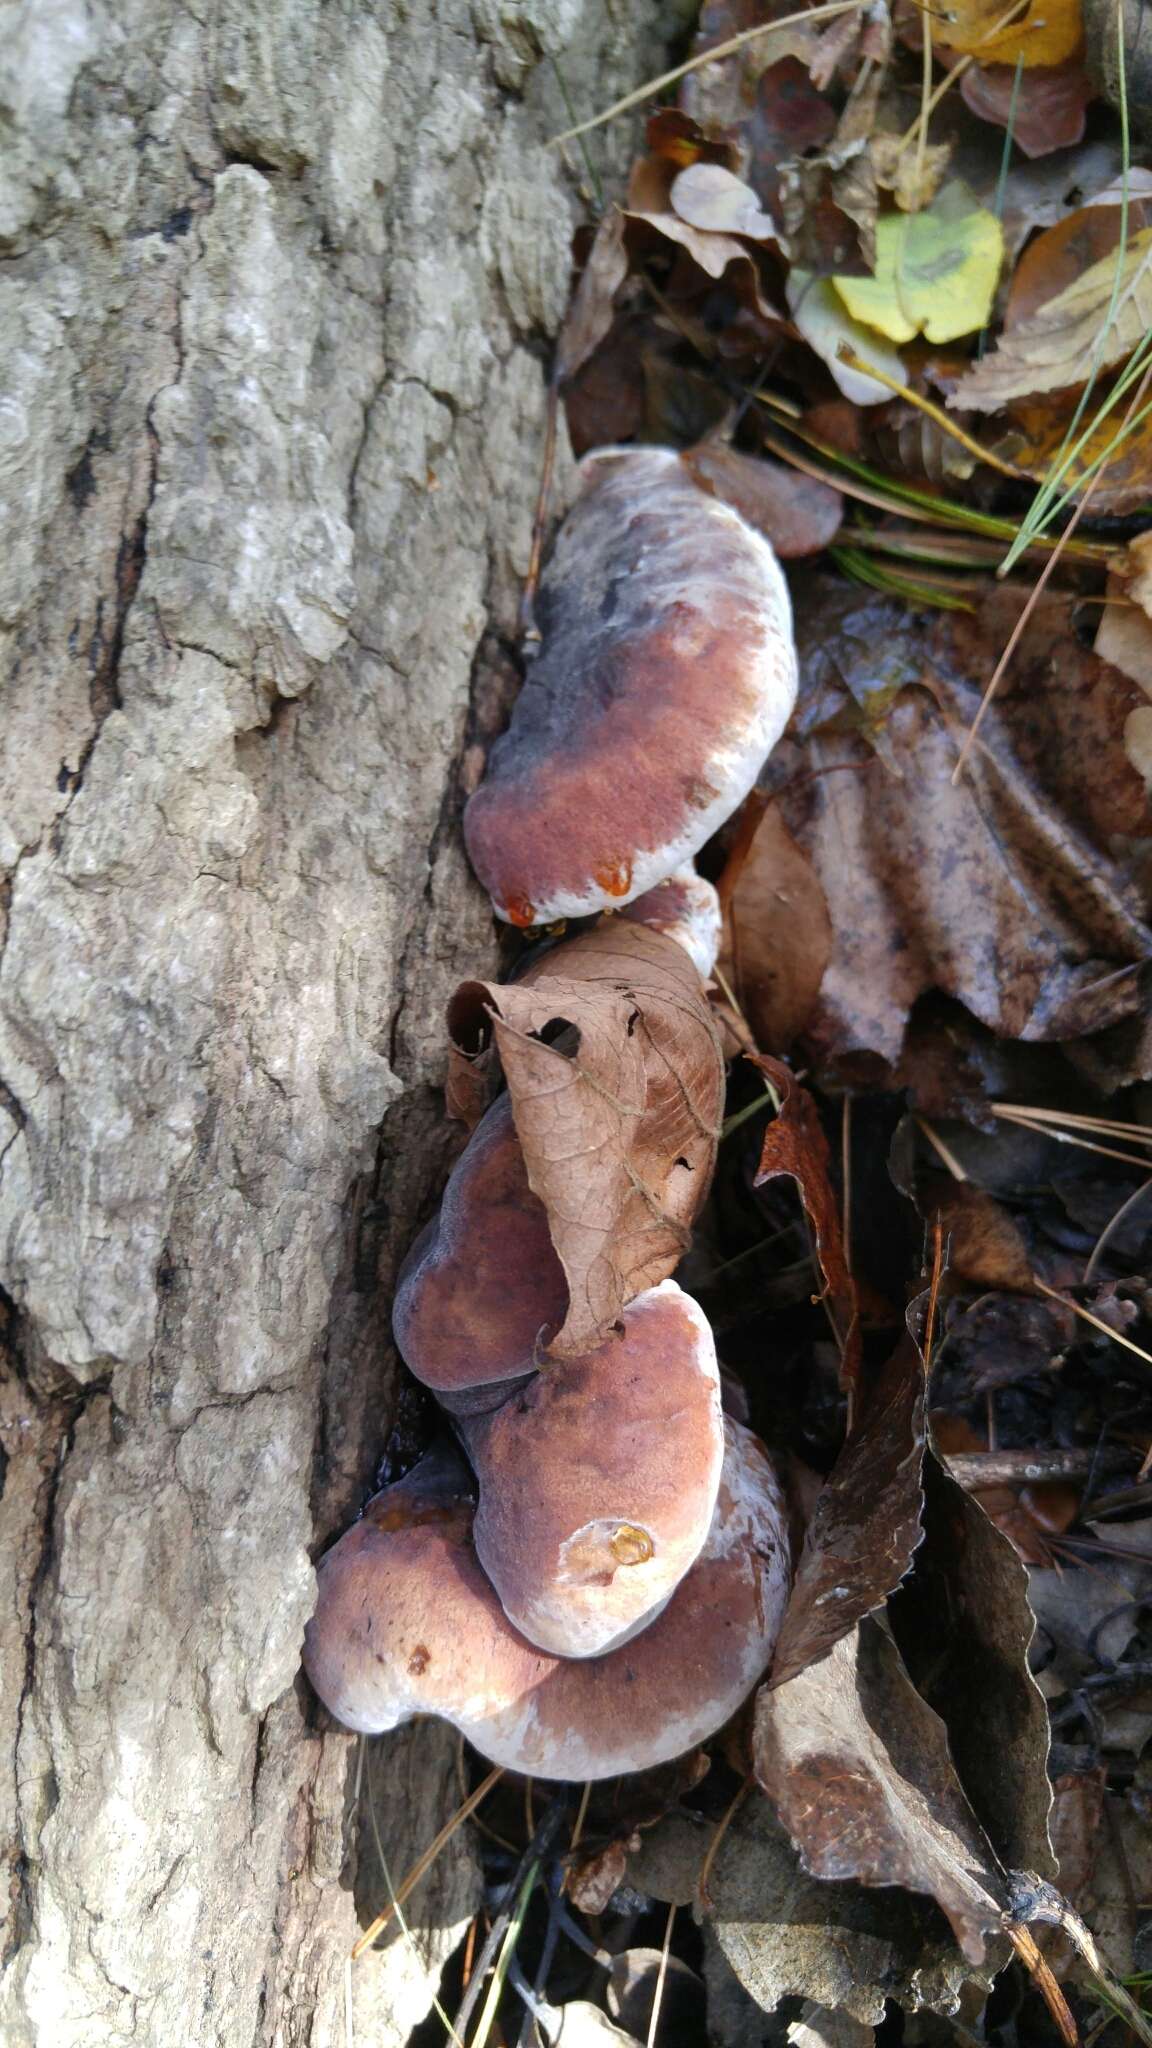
(1020, 890)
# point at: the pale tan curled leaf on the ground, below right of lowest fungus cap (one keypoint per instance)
(860, 1773)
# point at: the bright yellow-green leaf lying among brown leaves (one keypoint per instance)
(936, 271)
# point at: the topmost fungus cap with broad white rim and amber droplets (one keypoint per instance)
(665, 677)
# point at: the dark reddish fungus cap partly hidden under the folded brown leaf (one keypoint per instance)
(483, 1291)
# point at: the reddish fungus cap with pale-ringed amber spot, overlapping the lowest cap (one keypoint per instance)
(600, 1480)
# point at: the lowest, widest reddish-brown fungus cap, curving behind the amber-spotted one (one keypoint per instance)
(407, 1623)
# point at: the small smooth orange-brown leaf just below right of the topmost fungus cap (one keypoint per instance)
(778, 935)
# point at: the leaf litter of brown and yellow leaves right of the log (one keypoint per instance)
(878, 292)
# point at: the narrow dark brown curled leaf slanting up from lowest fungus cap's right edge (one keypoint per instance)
(866, 1525)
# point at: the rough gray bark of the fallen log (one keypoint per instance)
(274, 321)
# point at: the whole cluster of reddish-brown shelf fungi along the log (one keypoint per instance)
(589, 1576)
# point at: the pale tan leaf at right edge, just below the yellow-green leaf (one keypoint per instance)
(1069, 337)
